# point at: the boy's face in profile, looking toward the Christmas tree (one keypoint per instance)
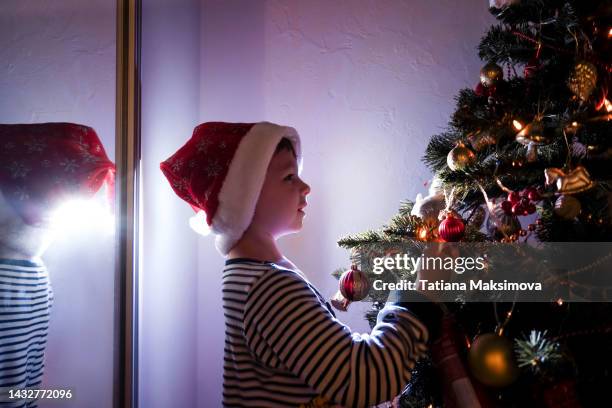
(279, 210)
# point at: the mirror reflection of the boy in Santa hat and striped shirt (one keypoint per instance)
(41, 165)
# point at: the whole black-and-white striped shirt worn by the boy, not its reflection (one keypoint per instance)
(284, 346)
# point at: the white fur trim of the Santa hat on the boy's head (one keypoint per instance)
(245, 177)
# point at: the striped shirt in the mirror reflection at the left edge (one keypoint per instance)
(25, 302)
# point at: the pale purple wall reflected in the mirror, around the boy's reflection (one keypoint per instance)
(57, 63)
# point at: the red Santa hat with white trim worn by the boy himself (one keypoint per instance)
(220, 171)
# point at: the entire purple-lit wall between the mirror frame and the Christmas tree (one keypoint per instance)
(366, 83)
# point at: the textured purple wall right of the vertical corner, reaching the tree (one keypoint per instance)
(366, 83)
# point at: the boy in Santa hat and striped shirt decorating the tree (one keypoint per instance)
(284, 346)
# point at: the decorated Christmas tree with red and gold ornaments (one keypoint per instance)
(529, 150)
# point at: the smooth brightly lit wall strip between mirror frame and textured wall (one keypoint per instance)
(168, 274)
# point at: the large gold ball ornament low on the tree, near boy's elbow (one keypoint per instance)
(491, 360)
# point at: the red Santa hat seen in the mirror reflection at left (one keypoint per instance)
(43, 163)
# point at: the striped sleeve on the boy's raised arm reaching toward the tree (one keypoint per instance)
(285, 319)
